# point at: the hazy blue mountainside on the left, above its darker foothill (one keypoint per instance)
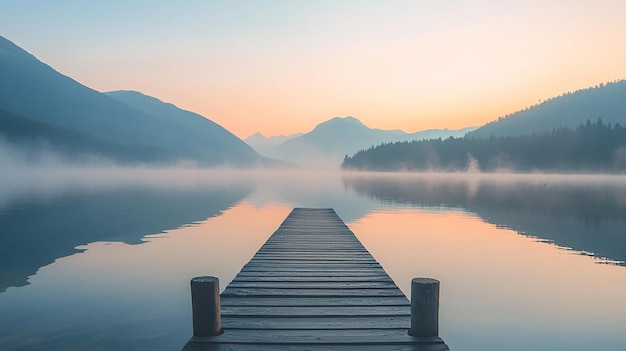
(127, 120)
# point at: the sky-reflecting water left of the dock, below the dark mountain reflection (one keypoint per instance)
(115, 296)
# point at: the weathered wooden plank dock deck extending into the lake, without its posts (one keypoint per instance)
(314, 286)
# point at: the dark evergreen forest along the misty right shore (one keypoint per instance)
(592, 147)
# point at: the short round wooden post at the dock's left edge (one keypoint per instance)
(205, 303)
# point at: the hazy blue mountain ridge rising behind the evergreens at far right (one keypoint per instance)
(605, 101)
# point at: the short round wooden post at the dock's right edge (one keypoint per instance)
(424, 307)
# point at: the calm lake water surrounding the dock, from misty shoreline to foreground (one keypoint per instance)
(101, 259)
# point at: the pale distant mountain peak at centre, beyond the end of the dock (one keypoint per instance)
(329, 142)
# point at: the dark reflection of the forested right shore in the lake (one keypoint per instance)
(588, 216)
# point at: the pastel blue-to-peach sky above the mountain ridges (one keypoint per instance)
(281, 67)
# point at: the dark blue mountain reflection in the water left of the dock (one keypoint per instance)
(38, 229)
